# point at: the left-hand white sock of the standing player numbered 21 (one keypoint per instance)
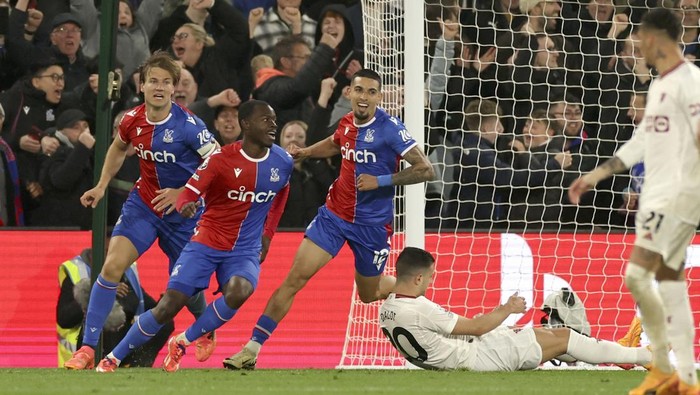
(640, 283)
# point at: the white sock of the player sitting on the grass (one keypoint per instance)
(591, 350)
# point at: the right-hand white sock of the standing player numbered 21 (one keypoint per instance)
(681, 328)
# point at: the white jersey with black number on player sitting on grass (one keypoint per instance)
(421, 331)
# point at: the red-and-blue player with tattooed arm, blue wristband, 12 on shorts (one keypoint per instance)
(359, 207)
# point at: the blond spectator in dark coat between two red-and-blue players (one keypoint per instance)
(309, 183)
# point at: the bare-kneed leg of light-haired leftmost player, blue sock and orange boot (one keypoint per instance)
(120, 256)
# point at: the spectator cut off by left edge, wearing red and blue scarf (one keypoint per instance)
(11, 213)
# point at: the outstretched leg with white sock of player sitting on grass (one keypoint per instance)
(560, 341)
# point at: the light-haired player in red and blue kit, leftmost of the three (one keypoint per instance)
(170, 143)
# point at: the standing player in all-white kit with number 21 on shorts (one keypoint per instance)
(667, 141)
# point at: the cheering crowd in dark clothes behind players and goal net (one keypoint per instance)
(522, 97)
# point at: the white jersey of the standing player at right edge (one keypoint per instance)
(666, 141)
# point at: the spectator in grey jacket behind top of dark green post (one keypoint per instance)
(134, 30)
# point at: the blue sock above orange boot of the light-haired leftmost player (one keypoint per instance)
(102, 298)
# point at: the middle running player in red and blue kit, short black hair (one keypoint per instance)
(245, 187)
